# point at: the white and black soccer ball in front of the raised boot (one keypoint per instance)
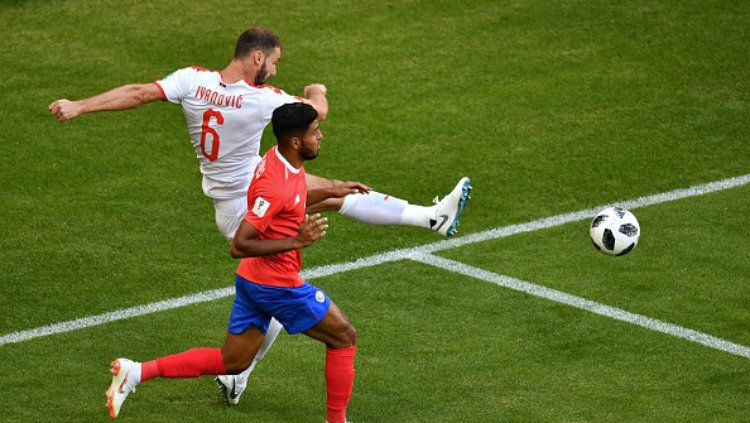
(615, 231)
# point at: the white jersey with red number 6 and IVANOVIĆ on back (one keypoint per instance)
(225, 123)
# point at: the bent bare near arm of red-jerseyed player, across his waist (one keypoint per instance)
(246, 244)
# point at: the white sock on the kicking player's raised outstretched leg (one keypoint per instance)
(376, 208)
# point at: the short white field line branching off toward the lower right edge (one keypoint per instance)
(584, 304)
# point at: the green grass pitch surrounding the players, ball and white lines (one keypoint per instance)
(550, 107)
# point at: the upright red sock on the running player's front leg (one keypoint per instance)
(339, 381)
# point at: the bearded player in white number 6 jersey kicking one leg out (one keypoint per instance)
(226, 113)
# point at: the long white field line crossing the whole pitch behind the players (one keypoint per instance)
(376, 259)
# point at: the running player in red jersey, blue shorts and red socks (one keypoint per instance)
(268, 283)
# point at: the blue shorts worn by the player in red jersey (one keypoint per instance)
(298, 309)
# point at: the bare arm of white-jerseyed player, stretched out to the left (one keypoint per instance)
(120, 98)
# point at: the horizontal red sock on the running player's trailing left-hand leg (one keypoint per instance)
(191, 363)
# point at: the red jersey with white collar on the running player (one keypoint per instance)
(276, 202)
